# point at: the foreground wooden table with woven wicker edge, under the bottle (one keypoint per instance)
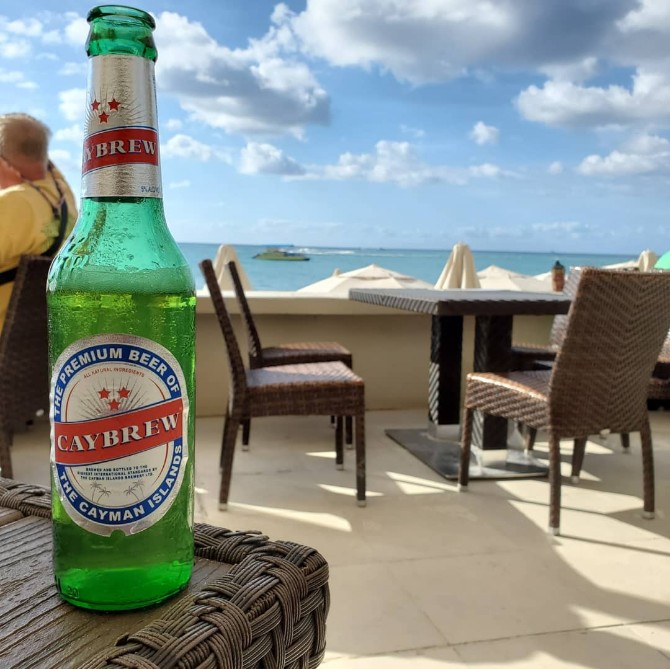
(251, 603)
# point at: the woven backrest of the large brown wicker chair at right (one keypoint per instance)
(618, 322)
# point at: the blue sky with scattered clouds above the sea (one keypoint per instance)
(506, 124)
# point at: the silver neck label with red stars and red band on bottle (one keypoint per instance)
(121, 156)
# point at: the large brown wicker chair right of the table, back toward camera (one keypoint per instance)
(599, 381)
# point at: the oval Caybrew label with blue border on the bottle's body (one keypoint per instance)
(119, 413)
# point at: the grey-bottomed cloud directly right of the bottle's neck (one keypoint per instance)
(260, 89)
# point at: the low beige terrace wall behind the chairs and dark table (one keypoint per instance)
(391, 349)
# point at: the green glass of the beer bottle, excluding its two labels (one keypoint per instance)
(121, 272)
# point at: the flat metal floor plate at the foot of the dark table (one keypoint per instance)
(443, 455)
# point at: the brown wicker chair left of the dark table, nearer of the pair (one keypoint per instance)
(318, 388)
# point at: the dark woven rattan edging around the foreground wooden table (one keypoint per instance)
(269, 610)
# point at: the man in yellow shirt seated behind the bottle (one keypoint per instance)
(37, 207)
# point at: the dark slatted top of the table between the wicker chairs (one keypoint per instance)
(464, 302)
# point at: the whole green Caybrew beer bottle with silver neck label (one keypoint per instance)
(121, 305)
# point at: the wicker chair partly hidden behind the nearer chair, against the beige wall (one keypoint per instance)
(294, 353)
